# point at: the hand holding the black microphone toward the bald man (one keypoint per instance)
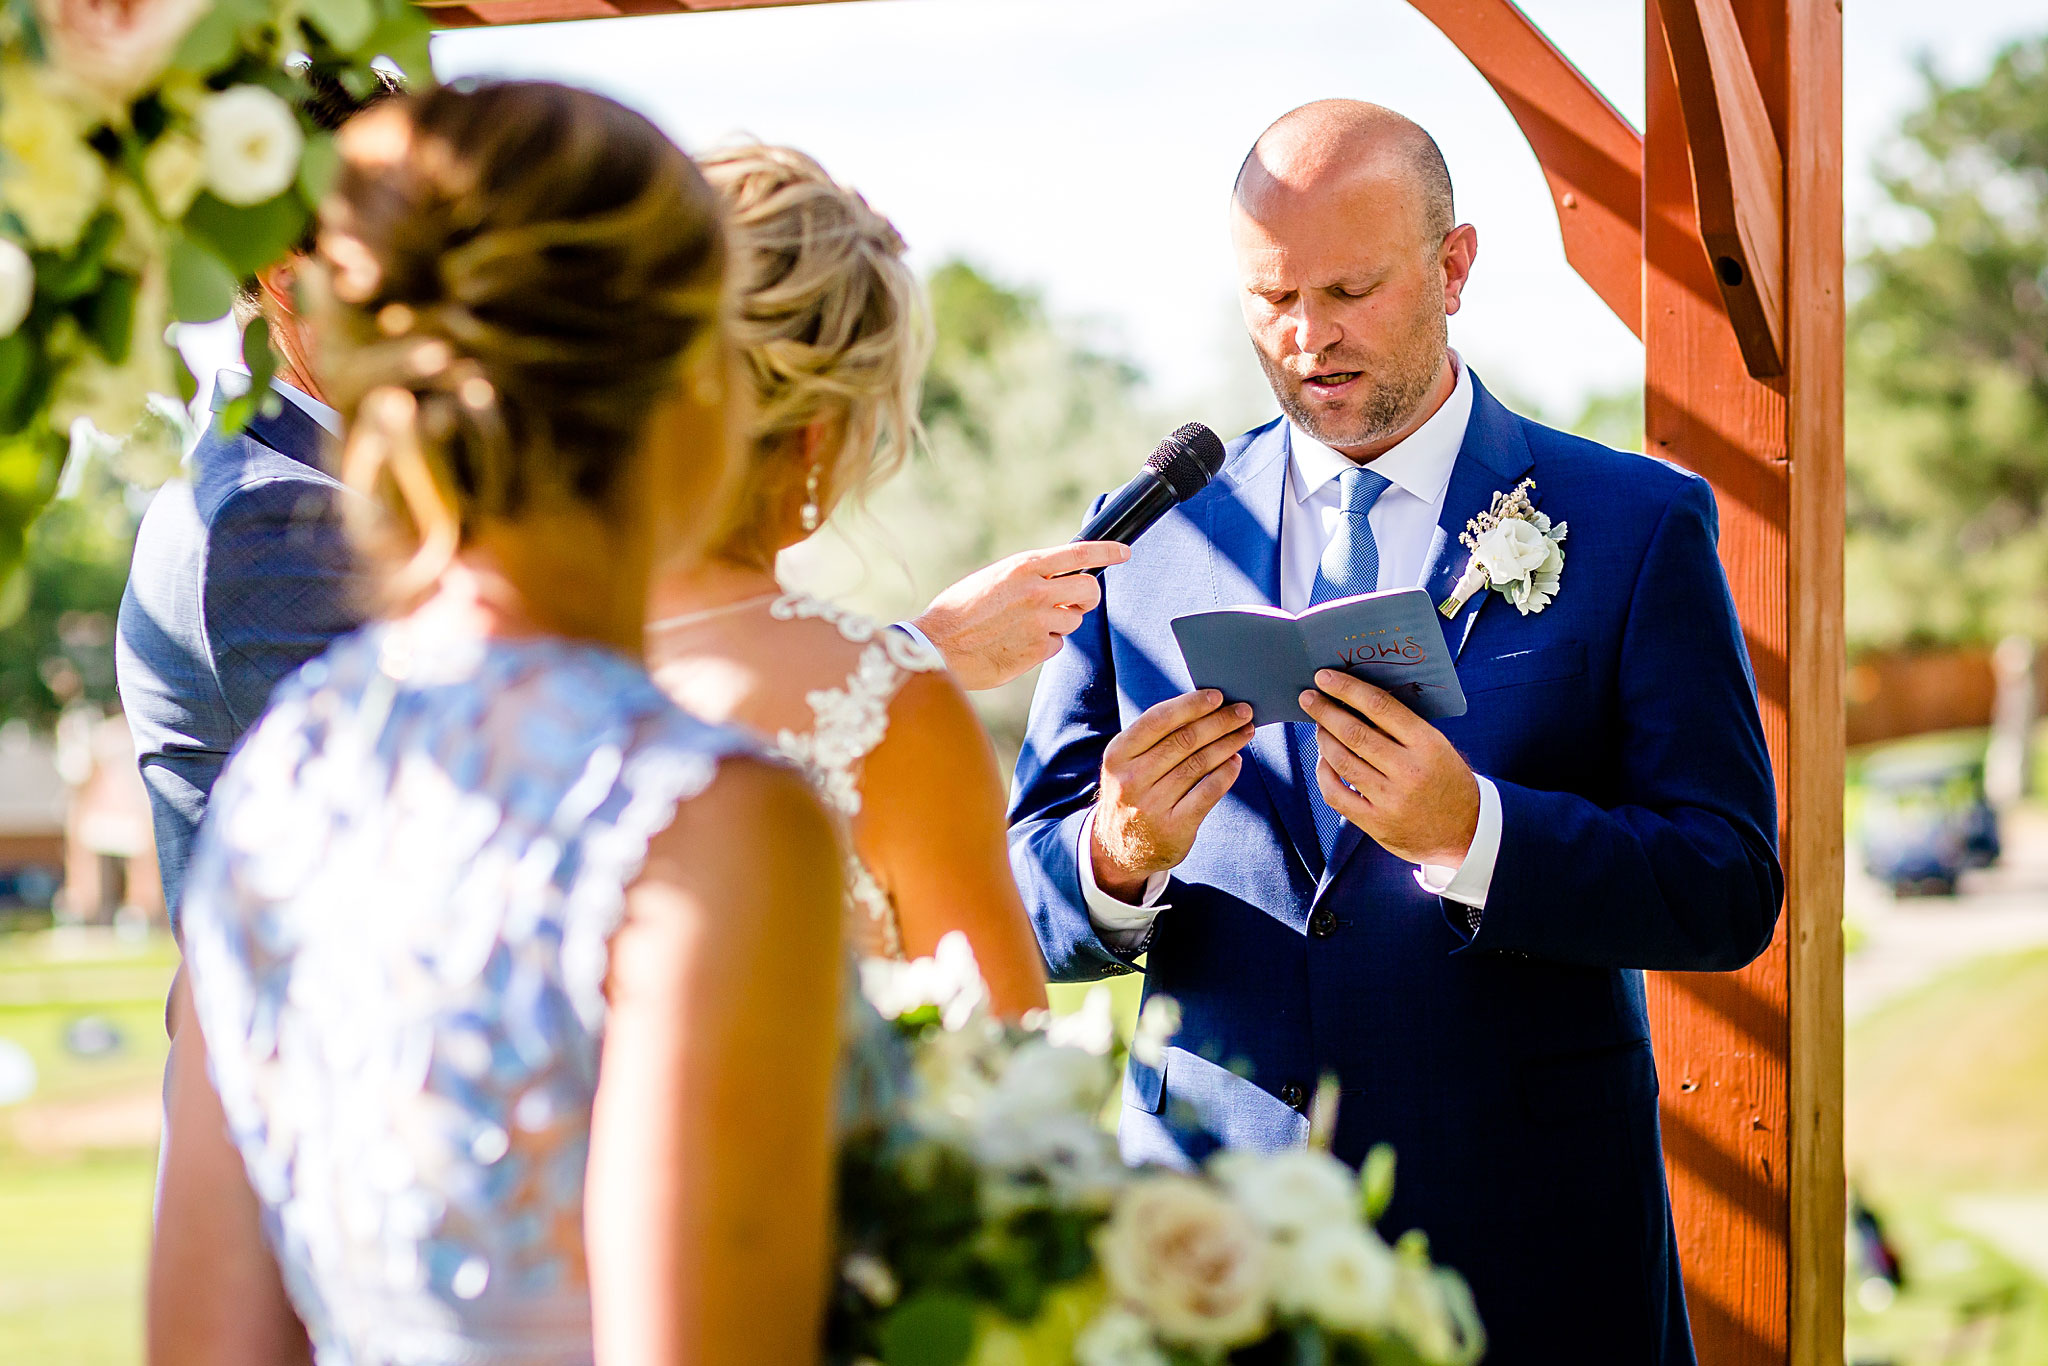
(1011, 617)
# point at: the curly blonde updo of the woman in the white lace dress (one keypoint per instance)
(828, 325)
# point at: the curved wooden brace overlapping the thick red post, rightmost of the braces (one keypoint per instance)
(1738, 173)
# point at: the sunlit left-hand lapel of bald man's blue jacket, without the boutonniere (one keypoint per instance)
(1244, 544)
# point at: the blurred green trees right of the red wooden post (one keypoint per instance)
(1949, 372)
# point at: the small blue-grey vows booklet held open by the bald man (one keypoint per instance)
(1269, 658)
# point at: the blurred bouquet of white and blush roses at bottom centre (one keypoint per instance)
(988, 1222)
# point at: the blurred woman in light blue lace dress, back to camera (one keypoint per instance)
(519, 984)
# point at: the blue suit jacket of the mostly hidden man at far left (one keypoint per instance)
(241, 577)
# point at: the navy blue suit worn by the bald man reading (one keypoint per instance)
(1510, 1068)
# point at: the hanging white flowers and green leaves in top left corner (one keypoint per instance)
(153, 157)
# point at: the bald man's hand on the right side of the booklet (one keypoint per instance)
(1392, 773)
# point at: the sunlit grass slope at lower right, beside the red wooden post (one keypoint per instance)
(1949, 1115)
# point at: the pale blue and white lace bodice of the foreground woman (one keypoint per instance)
(398, 929)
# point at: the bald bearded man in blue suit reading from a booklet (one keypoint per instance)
(1451, 921)
